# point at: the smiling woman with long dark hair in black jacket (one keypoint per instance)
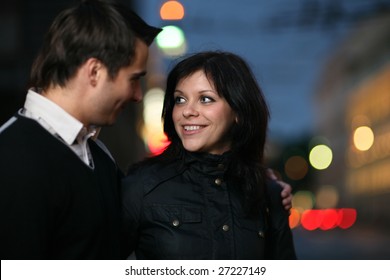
(207, 196)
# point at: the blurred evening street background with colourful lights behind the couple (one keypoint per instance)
(324, 66)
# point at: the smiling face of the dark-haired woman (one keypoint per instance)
(202, 118)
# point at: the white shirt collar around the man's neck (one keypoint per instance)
(52, 117)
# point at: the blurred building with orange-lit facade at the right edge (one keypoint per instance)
(353, 111)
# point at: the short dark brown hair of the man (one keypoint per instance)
(94, 28)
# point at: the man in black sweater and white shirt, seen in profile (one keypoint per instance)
(59, 189)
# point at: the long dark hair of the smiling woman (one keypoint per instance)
(234, 81)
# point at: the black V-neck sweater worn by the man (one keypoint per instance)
(53, 206)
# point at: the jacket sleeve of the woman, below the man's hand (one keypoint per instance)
(280, 240)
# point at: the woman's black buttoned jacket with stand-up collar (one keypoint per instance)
(188, 211)
